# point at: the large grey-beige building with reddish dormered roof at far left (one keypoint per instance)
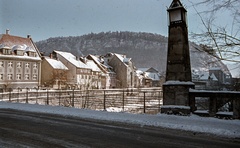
(20, 63)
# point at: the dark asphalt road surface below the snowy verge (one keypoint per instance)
(26, 129)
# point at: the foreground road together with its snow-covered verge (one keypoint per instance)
(29, 125)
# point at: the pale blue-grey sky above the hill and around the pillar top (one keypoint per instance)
(52, 18)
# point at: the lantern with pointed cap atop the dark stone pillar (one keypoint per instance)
(177, 13)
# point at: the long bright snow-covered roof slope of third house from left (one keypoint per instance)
(72, 59)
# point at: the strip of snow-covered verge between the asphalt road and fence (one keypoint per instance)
(220, 127)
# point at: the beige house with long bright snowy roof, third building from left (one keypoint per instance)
(81, 74)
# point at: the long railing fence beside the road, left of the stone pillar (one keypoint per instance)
(144, 100)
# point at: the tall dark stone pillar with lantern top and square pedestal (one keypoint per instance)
(178, 71)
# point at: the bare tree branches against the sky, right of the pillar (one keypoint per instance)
(224, 40)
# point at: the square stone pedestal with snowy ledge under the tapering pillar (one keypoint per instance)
(176, 93)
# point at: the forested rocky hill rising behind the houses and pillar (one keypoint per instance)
(145, 49)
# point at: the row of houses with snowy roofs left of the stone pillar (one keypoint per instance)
(22, 66)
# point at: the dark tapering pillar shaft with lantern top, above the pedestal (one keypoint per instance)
(178, 57)
